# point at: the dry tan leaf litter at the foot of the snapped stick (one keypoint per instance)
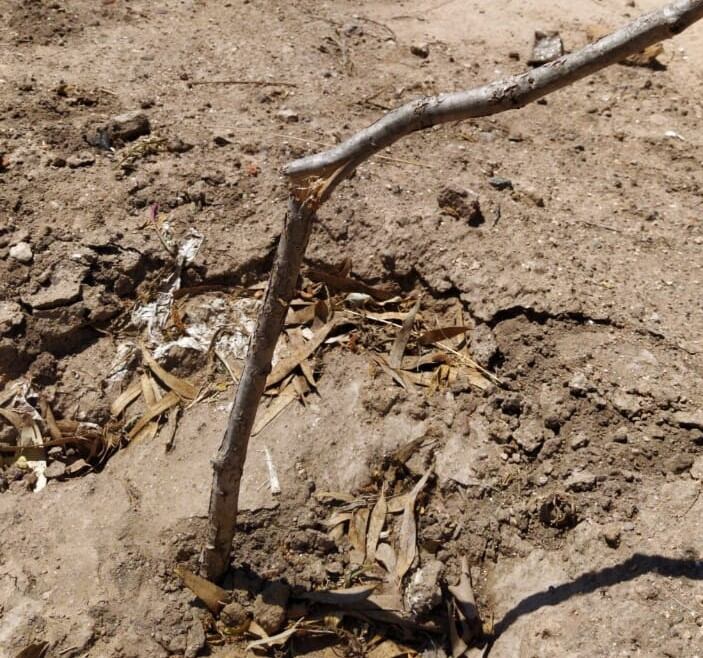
(390, 606)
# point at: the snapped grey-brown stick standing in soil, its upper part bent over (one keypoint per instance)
(313, 179)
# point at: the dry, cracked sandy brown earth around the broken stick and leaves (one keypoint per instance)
(573, 488)
